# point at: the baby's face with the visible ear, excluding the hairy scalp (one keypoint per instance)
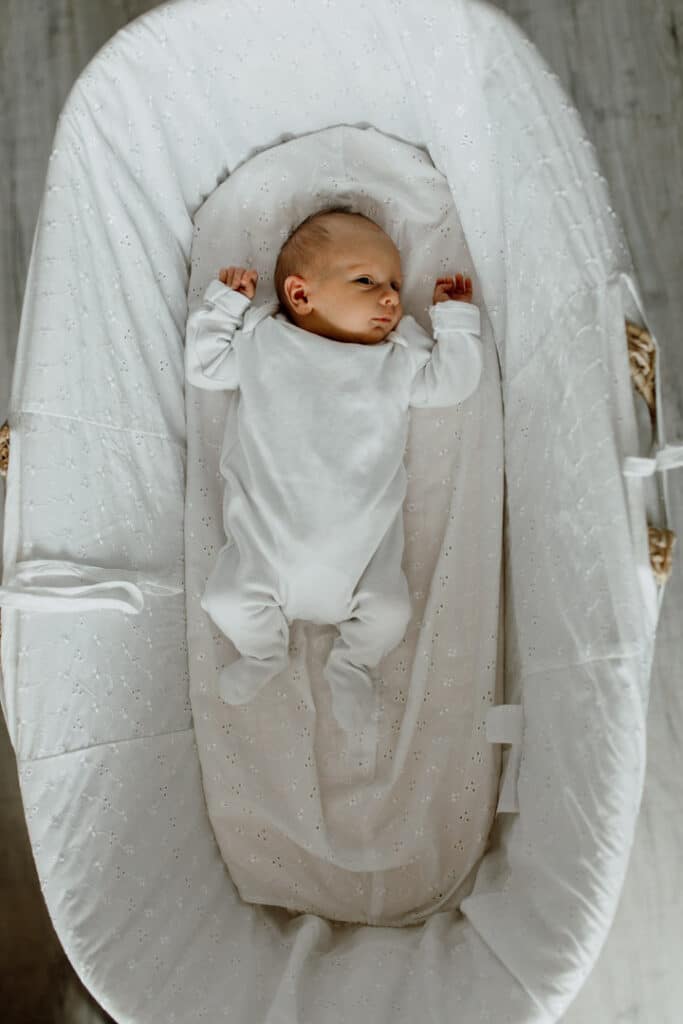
(357, 297)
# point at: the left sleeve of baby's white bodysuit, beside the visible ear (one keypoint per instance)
(211, 362)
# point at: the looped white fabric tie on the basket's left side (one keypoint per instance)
(59, 586)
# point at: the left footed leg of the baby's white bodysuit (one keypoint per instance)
(243, 602)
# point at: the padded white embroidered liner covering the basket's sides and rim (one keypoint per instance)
(98, 702)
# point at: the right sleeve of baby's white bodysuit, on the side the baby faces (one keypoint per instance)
(454, 368)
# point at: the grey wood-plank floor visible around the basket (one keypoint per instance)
(622, 62)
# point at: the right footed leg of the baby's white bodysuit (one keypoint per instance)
(380, 614)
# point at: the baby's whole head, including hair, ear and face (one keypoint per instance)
(338, 274)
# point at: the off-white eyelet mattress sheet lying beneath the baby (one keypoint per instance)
(386, 827)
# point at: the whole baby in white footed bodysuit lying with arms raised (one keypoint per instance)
(316, 482)
